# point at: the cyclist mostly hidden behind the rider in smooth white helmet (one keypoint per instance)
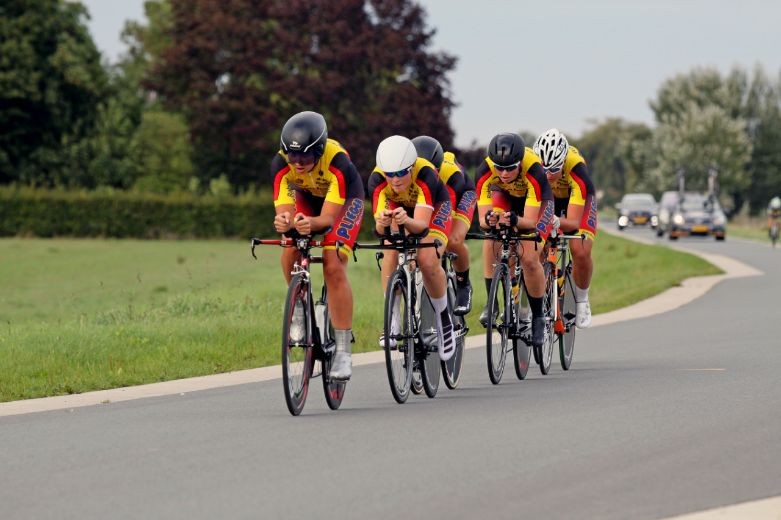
(463, 200)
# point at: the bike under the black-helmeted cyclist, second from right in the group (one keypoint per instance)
(504, 329)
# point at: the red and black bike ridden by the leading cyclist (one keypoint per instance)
(316, 341)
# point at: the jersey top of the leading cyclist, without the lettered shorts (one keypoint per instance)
(333, 178)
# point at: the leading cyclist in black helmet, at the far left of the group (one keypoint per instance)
(317, 188)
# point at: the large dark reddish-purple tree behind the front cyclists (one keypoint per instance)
(237, 70)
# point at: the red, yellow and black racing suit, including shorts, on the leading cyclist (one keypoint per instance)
(333, 178)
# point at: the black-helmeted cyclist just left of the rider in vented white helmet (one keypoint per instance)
(513, 191)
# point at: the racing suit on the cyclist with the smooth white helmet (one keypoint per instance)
(425, 189)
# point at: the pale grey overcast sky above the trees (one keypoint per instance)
(533, 65)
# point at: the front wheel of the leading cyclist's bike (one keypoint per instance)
(297, 357)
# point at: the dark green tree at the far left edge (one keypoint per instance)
(51, 84)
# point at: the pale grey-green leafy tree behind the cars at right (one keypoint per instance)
(701, 116)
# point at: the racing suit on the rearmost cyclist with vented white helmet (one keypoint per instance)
(575, 187)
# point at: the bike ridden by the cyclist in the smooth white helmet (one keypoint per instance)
(410, 337)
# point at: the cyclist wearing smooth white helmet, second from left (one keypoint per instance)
(406, 191)
